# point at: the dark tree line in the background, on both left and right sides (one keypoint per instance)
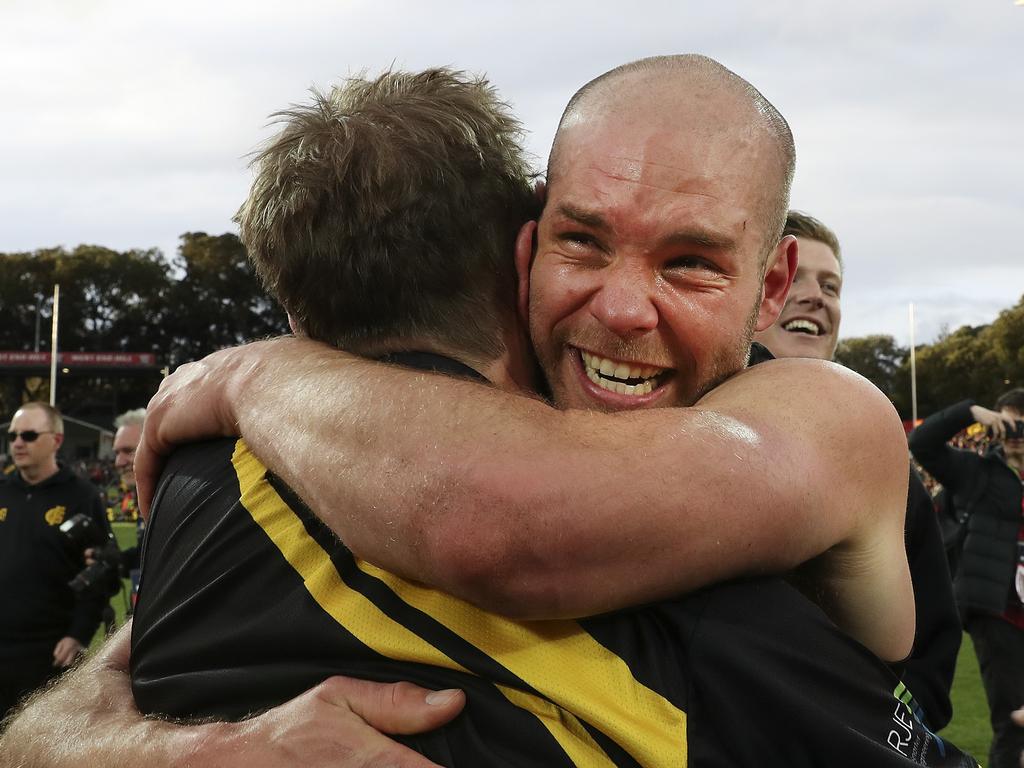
(207, 297)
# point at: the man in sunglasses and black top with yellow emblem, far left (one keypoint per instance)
(49, 517)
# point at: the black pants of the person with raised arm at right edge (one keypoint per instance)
(1000, 647)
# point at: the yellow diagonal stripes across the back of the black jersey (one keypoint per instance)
(558, 659)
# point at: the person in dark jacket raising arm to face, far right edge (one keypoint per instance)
(990, 581)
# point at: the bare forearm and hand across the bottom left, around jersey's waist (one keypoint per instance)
(90, 718)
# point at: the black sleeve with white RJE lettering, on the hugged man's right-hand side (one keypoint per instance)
(777, 684)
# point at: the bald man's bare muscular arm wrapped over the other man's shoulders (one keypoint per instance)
(530, 511)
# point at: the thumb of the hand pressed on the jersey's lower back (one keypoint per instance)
(395, 708)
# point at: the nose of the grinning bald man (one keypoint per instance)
(625, 302)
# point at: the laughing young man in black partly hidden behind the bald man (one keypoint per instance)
(808, 327)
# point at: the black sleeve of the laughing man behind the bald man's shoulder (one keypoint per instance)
(929, 671)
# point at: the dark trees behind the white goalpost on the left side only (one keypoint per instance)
(181, 309)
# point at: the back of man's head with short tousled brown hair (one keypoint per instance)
(388, 210)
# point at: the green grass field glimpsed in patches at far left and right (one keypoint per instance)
(969, 730)
